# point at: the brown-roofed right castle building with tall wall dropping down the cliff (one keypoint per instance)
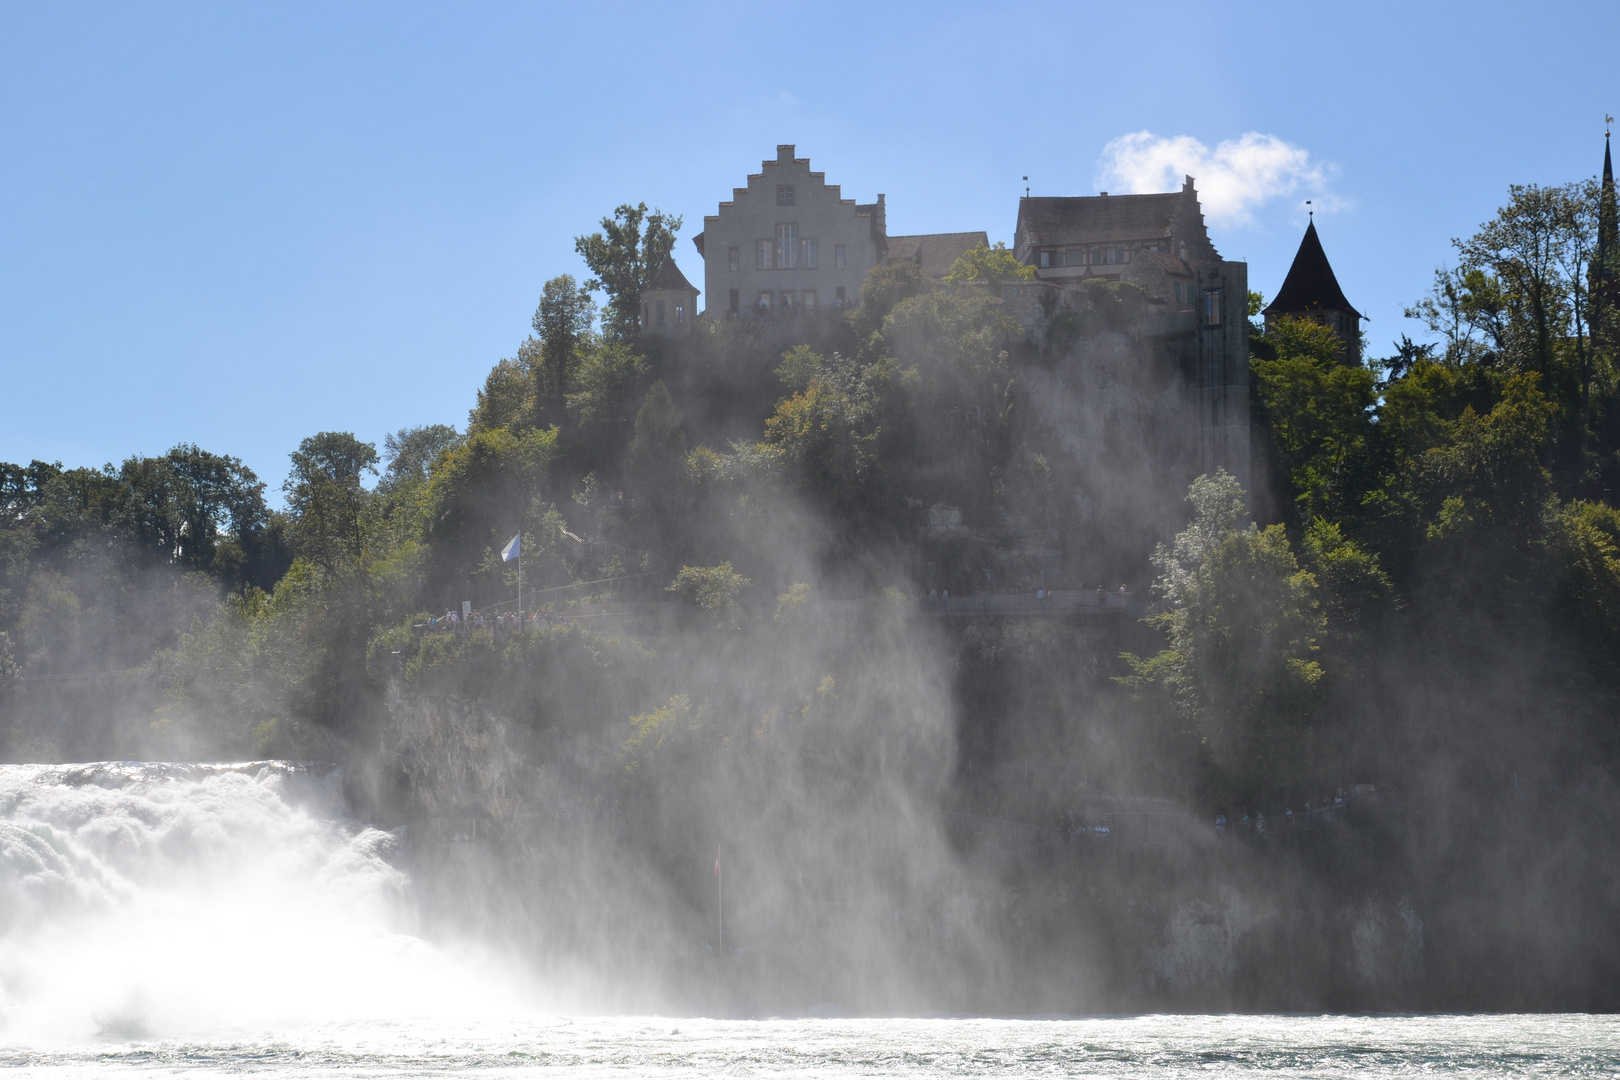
(1198, 302)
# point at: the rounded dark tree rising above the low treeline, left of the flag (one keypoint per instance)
(328, 500)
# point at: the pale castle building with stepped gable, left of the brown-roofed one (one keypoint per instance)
(788, 244)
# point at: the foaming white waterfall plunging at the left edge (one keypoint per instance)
(158, 901)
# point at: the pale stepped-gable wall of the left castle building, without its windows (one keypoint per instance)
(752, 216)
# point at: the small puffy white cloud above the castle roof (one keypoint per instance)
(1234, 181)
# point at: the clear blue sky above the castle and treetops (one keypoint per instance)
(242, 224)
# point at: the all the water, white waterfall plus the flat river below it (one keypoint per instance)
(232, 921)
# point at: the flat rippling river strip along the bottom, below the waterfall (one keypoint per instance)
(1125, 1048)
